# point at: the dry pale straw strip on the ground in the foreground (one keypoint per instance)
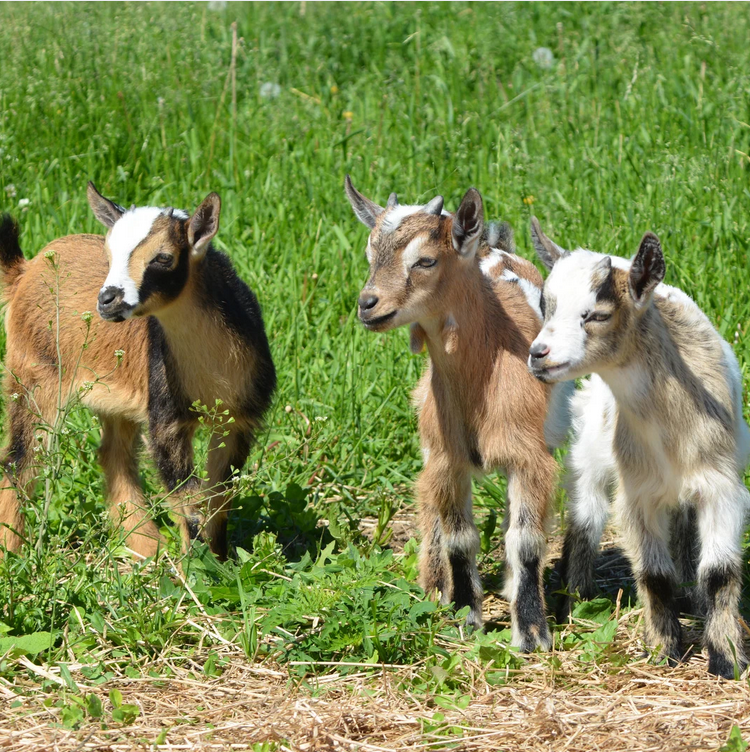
(554, 702)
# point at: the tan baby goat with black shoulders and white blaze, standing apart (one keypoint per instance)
(192, 331)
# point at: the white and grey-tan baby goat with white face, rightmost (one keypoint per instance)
(662, 418)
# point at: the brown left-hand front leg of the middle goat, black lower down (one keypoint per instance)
(450, 540)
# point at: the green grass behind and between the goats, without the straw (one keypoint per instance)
(643, 122)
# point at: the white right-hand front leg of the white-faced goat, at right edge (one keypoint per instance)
(721, 519)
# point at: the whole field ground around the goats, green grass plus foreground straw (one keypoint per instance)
(314, 636)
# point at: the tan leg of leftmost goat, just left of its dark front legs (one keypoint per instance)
(127, 505)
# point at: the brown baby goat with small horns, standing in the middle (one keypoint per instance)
(479, 408)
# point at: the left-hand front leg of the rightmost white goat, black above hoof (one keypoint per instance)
(645, 524)
